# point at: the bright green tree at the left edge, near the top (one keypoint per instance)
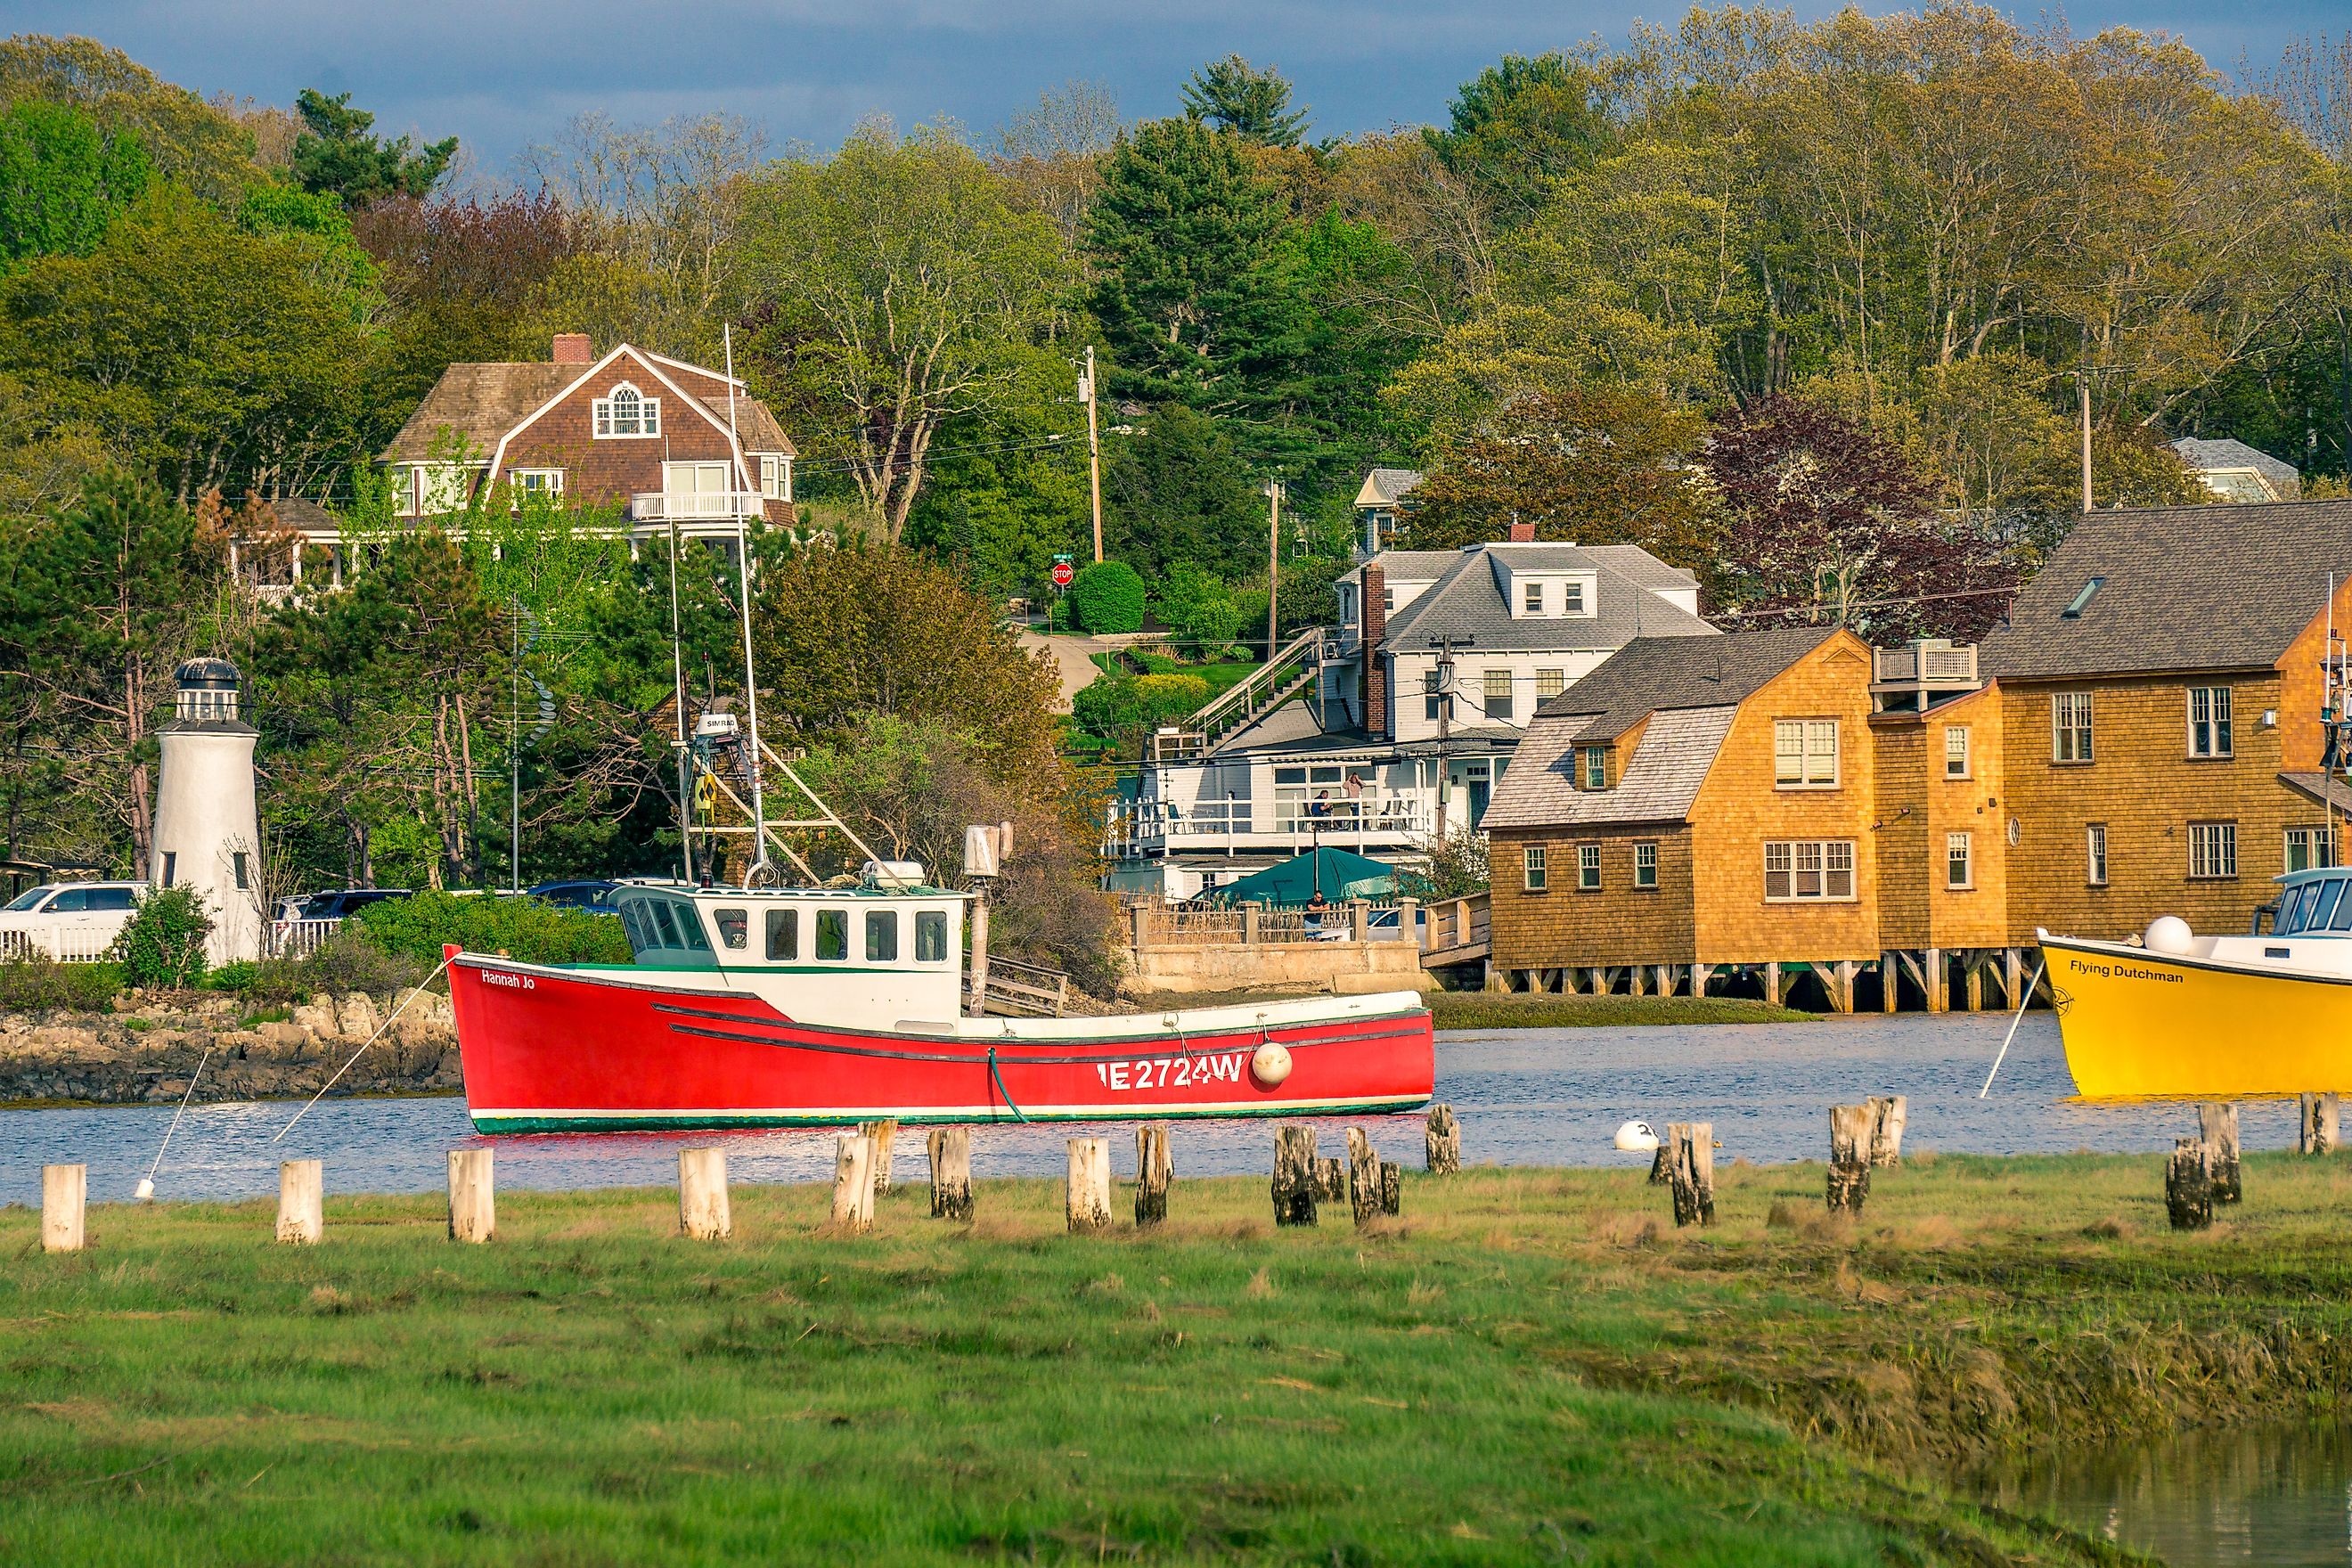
(62, 180)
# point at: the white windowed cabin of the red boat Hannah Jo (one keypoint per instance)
(810, 951)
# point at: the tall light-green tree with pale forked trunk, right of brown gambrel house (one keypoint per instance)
(900, 290)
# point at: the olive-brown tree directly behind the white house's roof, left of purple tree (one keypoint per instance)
(1589, 464)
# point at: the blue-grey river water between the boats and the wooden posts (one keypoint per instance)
(1525, 1097)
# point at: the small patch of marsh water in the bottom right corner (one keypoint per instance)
(2276, 1496)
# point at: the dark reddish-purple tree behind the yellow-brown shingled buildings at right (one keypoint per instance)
(1829, 523)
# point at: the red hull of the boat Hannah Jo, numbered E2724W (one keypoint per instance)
(566, 1052)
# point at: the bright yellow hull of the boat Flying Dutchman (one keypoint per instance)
(2153, 1026)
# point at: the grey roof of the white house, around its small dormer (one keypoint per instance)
(1469, 603)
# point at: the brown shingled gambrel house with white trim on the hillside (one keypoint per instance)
(655, 438)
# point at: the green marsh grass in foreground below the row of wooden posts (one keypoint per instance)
(1525, 1369)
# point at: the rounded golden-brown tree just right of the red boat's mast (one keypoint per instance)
(860, 631)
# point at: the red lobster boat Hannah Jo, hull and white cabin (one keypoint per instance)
(803, 1007)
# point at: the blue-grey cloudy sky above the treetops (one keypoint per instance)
(505, 74)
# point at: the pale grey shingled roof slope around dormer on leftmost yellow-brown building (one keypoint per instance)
(1659, 784)
